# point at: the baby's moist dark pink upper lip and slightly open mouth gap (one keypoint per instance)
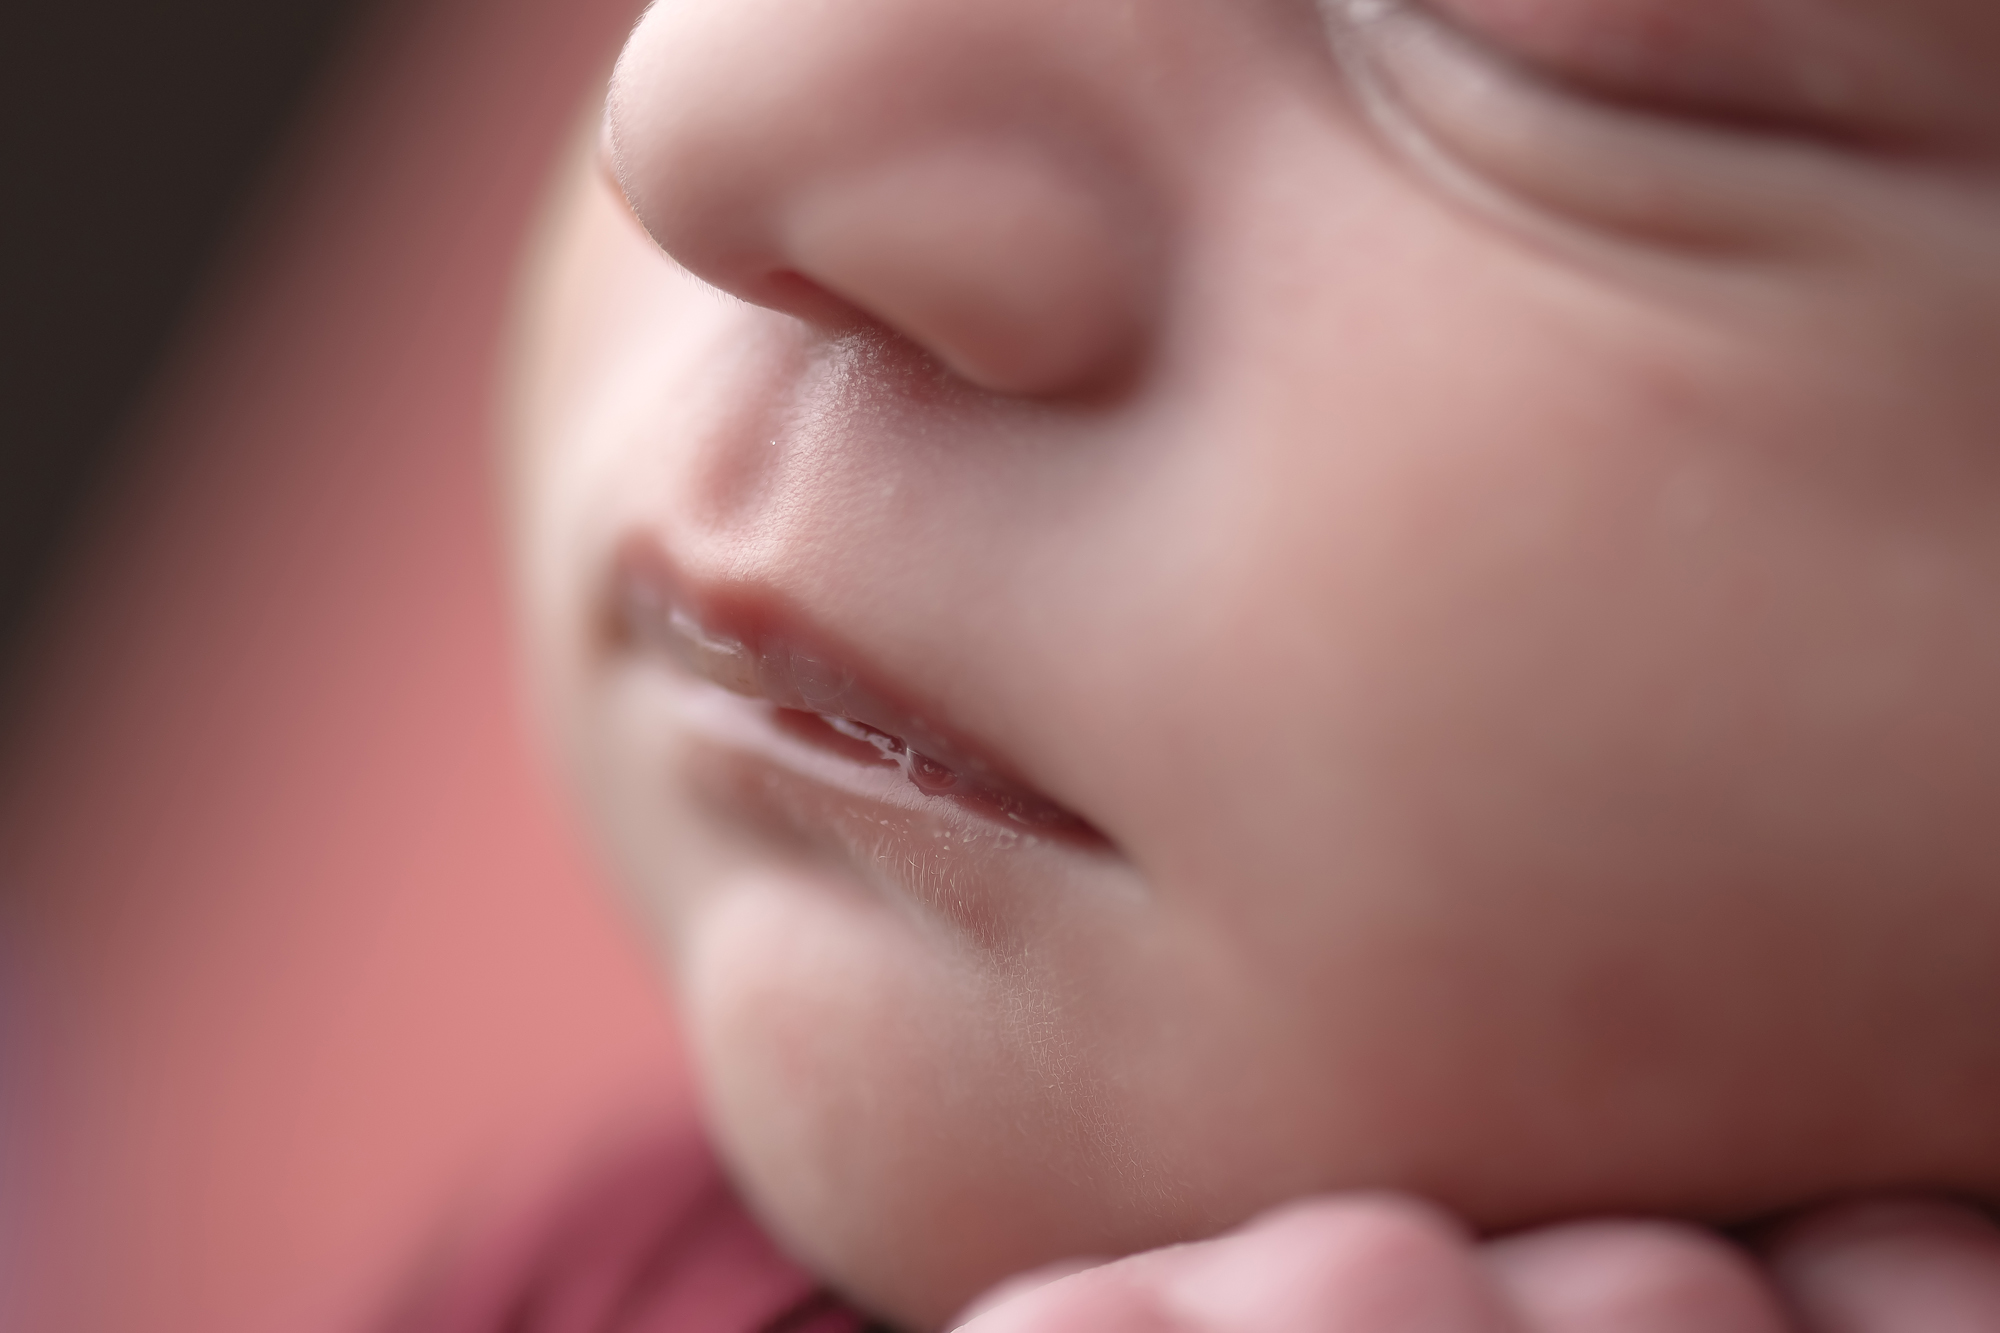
(815, 696)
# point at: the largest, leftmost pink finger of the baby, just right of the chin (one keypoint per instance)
(1377, 1264)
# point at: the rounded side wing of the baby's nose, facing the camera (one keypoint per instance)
(1013, 273)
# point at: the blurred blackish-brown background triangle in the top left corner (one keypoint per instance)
(135, 133)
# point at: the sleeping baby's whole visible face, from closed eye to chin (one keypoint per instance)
(1247, 599)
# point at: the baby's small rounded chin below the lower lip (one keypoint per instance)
(893, 1136)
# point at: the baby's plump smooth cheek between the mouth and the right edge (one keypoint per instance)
(1625, 684)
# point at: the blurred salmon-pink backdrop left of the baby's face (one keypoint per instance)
(315, 984)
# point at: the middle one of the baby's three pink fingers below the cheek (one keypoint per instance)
(1633, 1278)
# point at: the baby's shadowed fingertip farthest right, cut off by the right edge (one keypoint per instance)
(1891, 1266)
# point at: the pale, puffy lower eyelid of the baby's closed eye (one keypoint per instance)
(1525, 145)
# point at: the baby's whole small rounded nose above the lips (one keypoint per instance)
(961, 171)
